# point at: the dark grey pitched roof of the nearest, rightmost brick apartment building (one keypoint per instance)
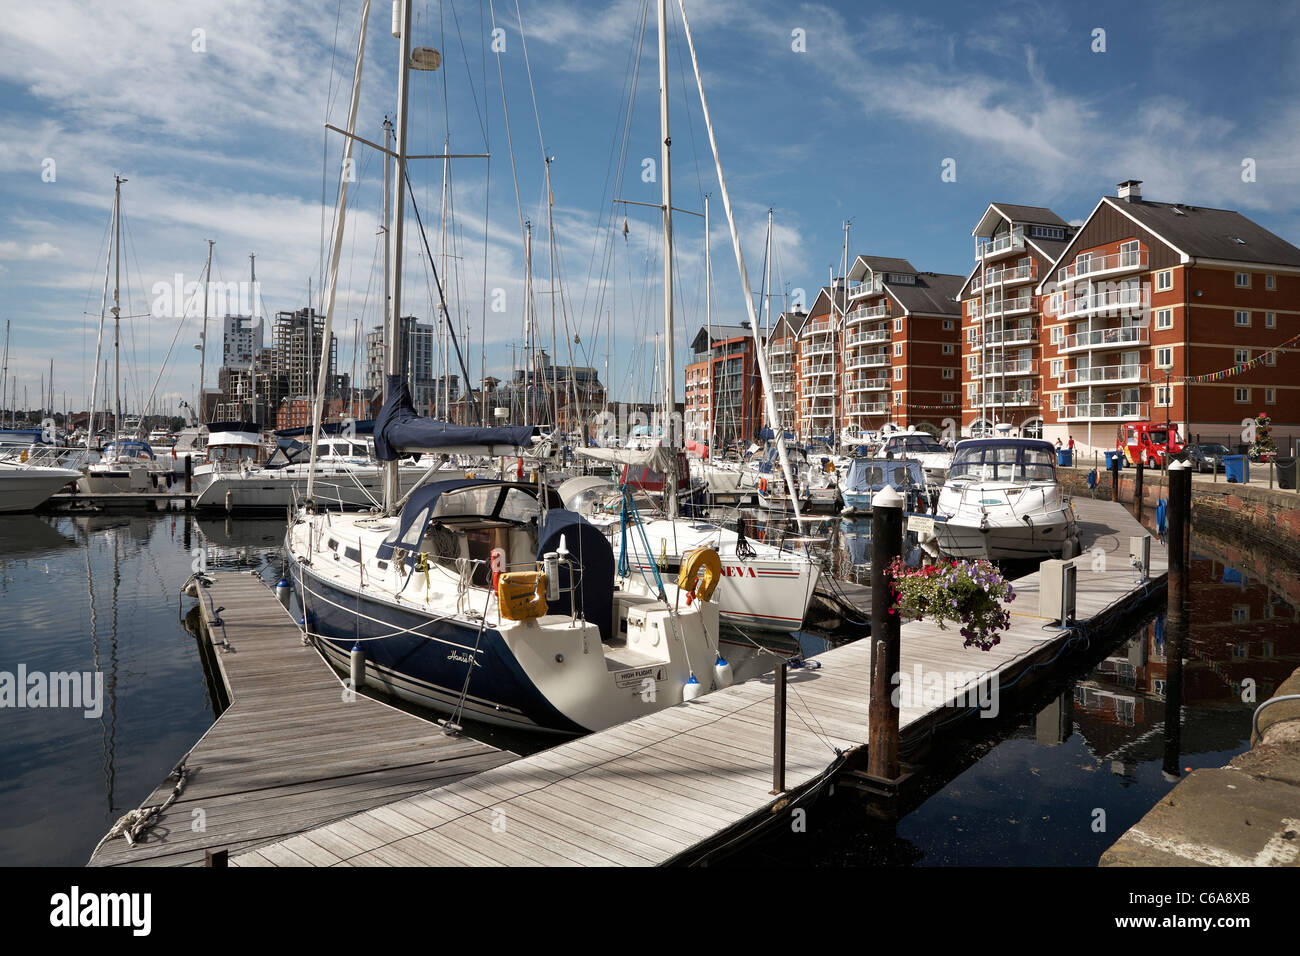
(1206, 233)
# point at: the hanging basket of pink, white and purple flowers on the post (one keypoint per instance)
(970, 592)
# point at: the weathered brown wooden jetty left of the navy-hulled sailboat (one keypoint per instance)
(291, 754)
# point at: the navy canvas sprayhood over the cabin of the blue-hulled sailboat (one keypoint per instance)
(487, 499)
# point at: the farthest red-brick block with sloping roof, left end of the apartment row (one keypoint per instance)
(725, 375)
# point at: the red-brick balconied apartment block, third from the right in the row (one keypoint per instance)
(902, 343)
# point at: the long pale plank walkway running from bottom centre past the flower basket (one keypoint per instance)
(671, 786)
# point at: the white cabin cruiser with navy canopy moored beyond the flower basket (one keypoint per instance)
(1003, 500)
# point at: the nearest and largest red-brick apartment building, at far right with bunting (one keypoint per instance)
(1147, 293)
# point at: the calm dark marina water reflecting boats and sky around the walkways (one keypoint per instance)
(102, 594)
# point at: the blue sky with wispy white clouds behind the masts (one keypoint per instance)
(215, 114)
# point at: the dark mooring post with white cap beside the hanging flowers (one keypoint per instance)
(883, 712)
